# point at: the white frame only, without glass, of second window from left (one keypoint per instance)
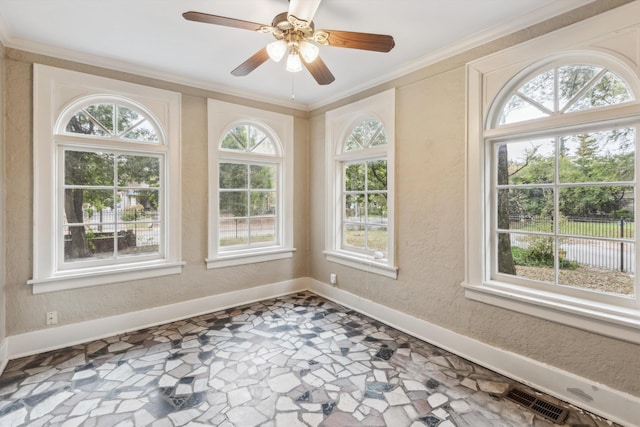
(222, 117)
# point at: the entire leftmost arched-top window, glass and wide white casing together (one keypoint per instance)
(103, 163)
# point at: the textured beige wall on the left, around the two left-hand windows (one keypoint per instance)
(26, 312)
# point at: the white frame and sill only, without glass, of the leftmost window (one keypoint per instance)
(58, 93)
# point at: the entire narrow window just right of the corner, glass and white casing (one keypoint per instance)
(360, 207)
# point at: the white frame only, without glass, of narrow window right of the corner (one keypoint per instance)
(339, 125)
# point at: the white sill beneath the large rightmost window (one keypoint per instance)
(605, 319)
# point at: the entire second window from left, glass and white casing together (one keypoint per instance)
(250, 182)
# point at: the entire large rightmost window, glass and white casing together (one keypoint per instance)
(552, 185)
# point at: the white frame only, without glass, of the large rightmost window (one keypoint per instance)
(605, 40)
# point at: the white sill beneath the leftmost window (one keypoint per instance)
(74, 279)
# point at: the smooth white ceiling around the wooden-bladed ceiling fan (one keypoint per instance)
(151, 38)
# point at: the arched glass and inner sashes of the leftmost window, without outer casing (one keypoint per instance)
(111, 198)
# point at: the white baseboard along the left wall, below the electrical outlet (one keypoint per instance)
(49, 339)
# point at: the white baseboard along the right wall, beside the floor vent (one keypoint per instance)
(600, 399)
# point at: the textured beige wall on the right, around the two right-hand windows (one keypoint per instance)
(430, 173)
